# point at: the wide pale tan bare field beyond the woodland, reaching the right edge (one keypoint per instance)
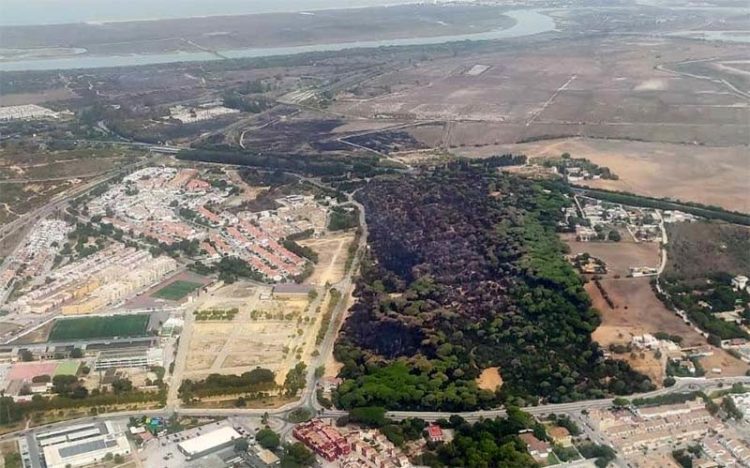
(655, 169)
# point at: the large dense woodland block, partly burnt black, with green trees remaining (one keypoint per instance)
(466, 272)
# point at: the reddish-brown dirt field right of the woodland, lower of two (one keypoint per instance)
(644, 313)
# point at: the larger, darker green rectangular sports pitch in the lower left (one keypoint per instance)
(99, 327)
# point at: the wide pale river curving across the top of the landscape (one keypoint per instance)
(527, 22)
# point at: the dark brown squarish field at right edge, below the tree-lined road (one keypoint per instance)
(699, 249)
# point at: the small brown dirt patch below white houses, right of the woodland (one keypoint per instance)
(619, 256)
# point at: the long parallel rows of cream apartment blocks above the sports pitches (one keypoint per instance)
(94, 282)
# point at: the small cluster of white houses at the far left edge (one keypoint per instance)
(35, 256)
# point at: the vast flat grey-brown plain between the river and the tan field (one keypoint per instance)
(599, 88)
